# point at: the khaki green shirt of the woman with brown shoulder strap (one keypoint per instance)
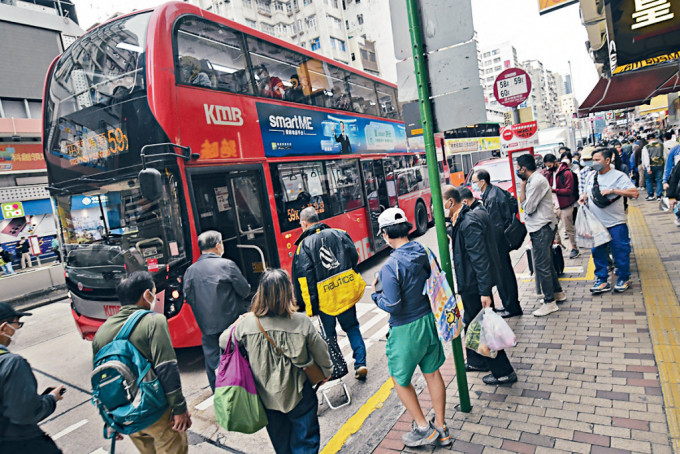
(278, 381)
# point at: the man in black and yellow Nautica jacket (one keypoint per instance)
(326, 284)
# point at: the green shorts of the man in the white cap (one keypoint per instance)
(403, 357)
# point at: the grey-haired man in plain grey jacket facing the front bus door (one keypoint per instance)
(216, 290)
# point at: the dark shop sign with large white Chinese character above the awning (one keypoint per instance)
(642, 33)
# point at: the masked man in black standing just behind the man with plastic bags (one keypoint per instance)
(502, 208)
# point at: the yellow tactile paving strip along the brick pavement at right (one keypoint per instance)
(663, 310)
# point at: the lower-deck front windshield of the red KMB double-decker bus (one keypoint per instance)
(116, 228)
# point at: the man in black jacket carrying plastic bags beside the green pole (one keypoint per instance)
(474, 247)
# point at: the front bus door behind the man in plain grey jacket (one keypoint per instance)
(233, 203)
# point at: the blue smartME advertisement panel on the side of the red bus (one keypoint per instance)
(289, 131)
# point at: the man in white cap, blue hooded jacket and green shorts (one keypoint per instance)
(412, 340)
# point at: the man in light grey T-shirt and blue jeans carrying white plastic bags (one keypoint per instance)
(604, 192)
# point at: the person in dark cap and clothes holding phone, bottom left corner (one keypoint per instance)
(21, 407)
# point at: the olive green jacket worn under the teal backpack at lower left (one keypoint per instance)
(152, 338)
